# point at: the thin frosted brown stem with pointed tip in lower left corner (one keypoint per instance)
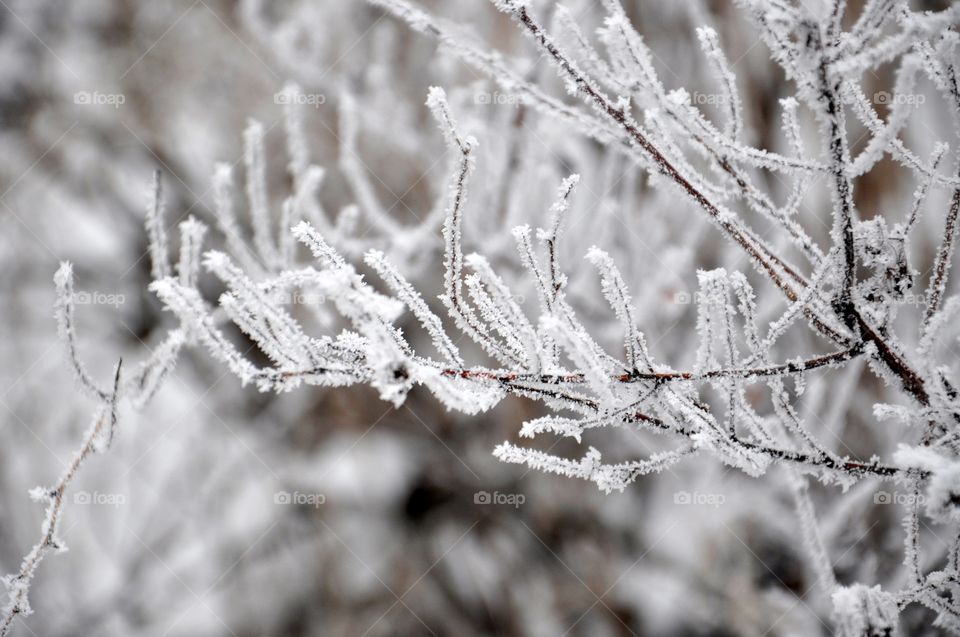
(19, 583)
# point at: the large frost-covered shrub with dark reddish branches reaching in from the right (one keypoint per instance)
(519, 316)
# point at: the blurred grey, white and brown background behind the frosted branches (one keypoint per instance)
(222, 511)
